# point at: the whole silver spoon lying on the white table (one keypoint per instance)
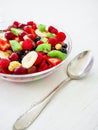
(76, 69)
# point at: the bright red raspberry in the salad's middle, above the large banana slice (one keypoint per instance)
(27, 44)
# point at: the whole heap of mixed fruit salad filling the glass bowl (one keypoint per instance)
(27, 48)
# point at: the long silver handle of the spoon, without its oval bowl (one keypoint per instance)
(25, 120)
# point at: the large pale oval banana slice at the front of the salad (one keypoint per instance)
(29, 59)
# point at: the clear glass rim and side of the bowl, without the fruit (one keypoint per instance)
(38, 75)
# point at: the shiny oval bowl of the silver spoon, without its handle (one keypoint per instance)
(80, 65)
